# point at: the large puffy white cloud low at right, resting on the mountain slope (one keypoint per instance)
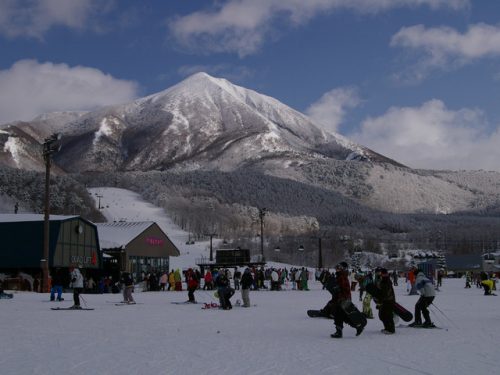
(433, 137)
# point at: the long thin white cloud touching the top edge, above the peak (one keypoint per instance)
(242, 26)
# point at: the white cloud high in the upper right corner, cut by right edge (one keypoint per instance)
(445, 48)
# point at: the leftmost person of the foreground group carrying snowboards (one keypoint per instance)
(341, 292)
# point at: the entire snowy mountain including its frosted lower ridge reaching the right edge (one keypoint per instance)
(206, 123)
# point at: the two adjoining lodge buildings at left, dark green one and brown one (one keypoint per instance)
(103, 249)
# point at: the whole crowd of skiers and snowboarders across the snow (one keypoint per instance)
(373, 285)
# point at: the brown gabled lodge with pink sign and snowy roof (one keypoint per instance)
(135, 247)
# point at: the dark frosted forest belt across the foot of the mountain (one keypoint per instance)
(228, 204)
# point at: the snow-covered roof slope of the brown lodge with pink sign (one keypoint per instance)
(119, 234)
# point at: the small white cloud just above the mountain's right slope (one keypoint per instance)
(330, 109)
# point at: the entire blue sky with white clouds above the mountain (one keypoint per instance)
(415, 80)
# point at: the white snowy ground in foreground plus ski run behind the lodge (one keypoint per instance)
(273, 337)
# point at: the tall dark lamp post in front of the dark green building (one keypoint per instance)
(50, 147)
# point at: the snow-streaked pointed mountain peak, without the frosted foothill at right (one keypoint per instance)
(202, 122)
